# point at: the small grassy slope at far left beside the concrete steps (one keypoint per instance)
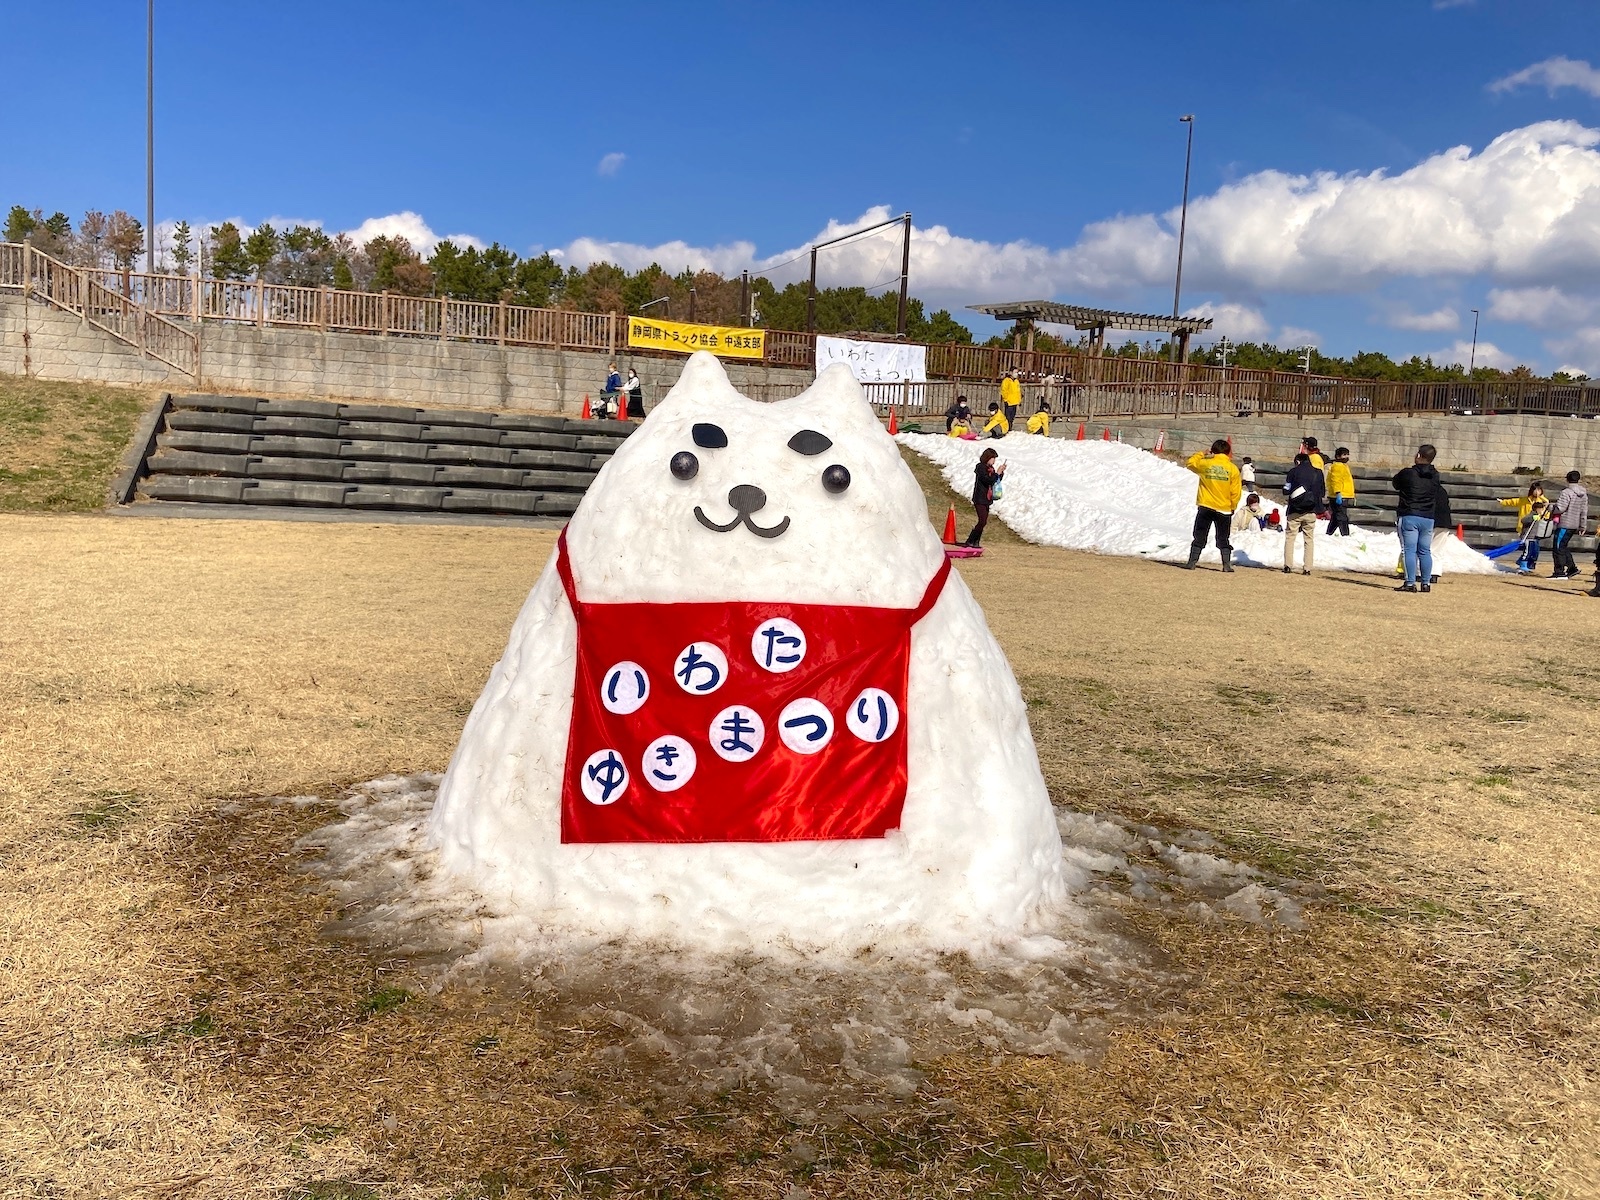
(60, 444)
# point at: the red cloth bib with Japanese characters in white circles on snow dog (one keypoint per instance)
(737, 721)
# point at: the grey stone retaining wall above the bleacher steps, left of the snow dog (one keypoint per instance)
(300, 364)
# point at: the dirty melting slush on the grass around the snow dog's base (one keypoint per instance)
(807, 1028)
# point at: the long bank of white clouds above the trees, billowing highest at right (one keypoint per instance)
(1524, 212)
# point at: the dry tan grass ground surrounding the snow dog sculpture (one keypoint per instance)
(1343, 929)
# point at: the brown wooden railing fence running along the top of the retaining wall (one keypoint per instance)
(1079, 386)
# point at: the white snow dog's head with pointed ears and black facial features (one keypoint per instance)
(718, 497)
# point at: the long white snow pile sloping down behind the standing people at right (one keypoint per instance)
(1111, 498)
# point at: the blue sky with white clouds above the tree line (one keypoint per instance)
(1038, 145)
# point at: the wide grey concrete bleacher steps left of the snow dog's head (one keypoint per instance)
(375, 458)
